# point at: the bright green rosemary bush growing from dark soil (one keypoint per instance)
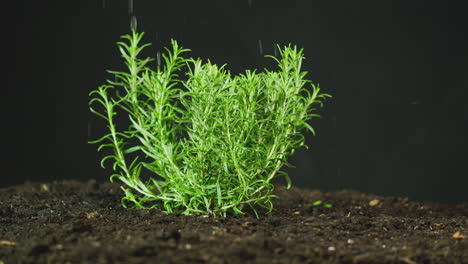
(213, 141)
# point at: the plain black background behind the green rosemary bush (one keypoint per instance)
(397, 124)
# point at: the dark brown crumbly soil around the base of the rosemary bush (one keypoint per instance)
(73, 222)
